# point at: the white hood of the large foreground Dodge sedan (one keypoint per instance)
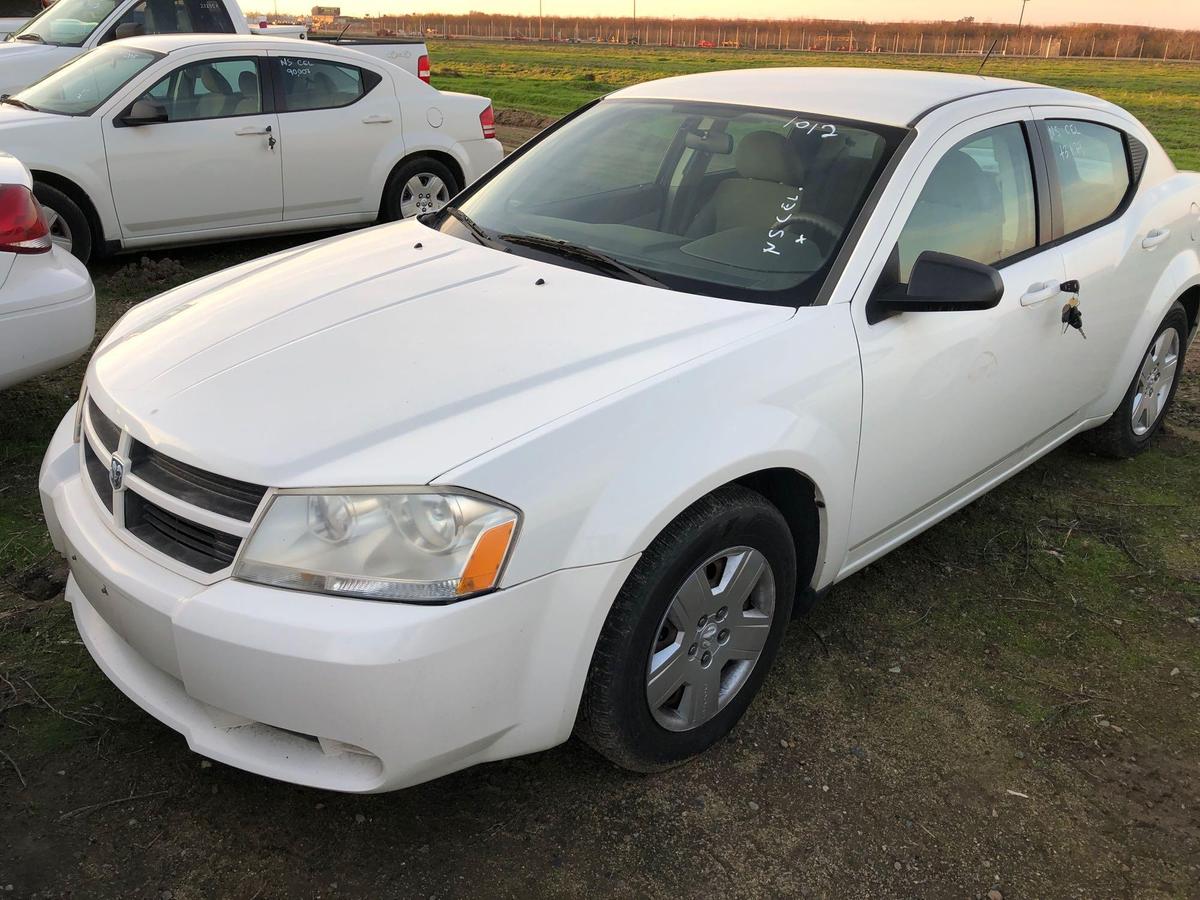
(389, 357)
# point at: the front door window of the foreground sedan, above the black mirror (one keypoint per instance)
(979, 202)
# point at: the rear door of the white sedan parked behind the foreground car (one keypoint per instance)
(338, 123)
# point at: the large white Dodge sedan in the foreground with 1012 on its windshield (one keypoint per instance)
(568, 455)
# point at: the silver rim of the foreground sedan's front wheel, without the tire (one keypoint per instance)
(711, 638)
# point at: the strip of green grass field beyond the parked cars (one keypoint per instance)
(555, 80)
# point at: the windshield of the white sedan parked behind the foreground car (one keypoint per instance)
(82, 86)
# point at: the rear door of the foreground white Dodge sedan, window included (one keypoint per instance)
(1115, 249)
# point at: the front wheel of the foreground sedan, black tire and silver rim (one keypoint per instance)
(617, 717)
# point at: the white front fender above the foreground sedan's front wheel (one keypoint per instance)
(626, 483)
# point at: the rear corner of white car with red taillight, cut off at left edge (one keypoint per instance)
(47, 303)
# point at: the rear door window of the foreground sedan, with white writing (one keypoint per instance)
(1094, 171)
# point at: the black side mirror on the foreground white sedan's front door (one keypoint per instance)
(941, 283)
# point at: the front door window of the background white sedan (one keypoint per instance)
(209, 91)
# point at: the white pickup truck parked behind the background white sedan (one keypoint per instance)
(70, 28)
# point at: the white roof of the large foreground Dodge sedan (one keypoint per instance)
(887, 97)
